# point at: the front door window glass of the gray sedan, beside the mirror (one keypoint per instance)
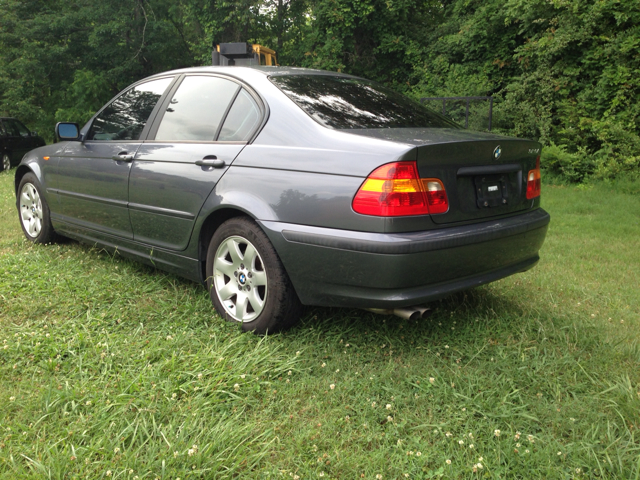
(127, 115)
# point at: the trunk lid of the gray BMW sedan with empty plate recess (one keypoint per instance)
(484, 174)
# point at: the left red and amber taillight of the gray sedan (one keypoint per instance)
(396, 189)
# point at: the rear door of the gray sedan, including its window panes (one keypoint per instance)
(205, 123)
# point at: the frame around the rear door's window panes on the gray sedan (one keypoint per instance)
(262, 106)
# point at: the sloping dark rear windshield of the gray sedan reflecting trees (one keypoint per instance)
(346, 103)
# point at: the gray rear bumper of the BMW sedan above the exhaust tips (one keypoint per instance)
(331, 267)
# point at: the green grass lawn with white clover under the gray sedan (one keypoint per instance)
(110, 369)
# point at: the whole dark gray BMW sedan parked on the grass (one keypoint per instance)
(279, 187)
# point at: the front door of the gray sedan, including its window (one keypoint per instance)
(92, 176)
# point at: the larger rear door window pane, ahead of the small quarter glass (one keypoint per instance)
(197, 109)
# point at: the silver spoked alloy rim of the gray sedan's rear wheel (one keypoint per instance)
(240, 279)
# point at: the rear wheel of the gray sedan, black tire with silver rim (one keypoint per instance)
(280, 305)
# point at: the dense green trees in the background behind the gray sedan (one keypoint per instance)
(566, 72)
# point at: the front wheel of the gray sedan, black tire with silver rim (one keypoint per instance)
(44, 233)
